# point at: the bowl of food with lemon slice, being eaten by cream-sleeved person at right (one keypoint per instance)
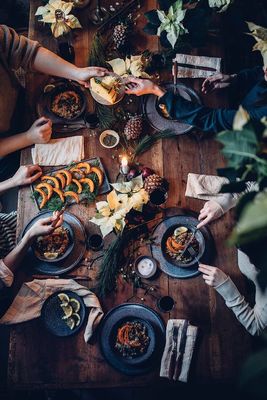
(175, 241)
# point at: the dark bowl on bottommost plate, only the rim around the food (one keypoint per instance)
(137, 360)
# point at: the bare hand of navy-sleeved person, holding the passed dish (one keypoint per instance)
(140, 87)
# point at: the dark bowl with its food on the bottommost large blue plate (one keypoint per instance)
(133, 340)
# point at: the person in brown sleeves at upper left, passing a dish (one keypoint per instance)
(15, 52)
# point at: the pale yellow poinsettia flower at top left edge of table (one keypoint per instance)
(56, 13)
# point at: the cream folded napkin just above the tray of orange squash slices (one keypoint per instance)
(59, 151)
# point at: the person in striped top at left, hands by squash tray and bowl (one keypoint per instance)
(10, 253)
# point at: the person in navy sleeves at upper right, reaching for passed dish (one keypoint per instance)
(252, 81)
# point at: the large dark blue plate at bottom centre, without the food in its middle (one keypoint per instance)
(127, 312)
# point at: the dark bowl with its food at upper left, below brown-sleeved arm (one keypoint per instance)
(66, 101)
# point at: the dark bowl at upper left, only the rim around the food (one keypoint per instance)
(61, 88)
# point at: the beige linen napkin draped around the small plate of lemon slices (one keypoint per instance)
(28, 303)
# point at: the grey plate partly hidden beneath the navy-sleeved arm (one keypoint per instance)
(156, 119)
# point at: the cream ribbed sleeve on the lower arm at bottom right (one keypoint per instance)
(254, 319)
